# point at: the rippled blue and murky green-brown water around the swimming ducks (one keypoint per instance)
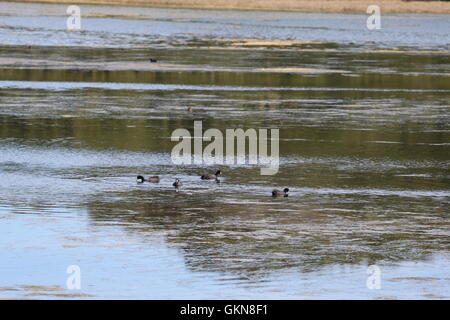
(364, 148)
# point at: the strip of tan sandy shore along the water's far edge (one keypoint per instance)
(337, 6)
